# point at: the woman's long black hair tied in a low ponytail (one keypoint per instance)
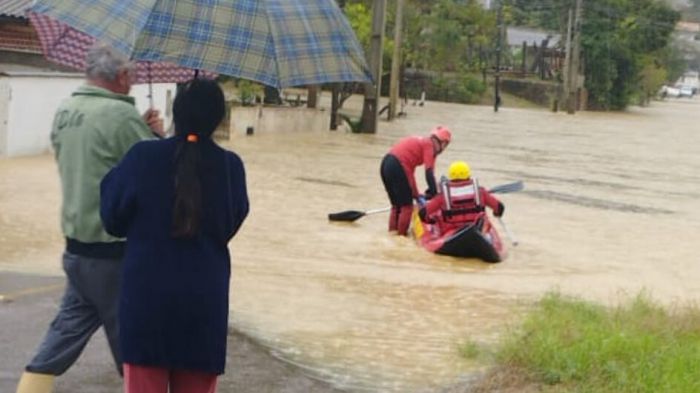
(198, 109)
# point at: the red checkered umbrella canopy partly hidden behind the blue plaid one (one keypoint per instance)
(67, 46)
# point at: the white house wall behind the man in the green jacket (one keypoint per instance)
(28, 102)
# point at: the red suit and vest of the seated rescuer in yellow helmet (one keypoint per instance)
(460, 204)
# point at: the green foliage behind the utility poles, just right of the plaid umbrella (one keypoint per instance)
(440, 37)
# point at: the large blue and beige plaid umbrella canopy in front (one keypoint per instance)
(277, 42)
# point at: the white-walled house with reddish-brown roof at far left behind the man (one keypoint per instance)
(31, 88)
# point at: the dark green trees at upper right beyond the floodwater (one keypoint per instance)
(622, 42)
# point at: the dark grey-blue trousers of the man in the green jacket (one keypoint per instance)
(90, 301)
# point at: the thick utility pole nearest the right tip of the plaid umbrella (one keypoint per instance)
(370, 112)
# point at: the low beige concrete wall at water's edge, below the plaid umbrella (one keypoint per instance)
(277, 119)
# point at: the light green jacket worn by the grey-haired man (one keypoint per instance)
(91, 132)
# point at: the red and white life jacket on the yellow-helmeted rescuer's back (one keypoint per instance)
(463, 202)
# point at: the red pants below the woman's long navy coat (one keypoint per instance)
(141, 379)
